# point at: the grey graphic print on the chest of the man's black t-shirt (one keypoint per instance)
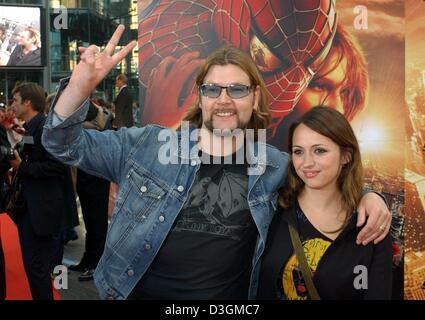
(217, 205)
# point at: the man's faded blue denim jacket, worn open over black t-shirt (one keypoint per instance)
(151, 194)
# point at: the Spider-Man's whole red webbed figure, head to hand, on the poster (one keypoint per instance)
(288, 40)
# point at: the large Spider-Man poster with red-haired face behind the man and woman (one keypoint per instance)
(348, 55)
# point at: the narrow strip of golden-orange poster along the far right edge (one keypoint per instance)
(414, 285)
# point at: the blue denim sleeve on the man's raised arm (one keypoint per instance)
(103, 154)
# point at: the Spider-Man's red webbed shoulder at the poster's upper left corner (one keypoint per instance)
(172, 29)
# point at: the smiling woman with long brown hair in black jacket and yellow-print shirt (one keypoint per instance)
(317, 217)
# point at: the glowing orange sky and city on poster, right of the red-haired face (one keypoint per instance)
(380, 126)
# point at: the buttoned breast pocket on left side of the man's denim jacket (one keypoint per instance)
(143, 198)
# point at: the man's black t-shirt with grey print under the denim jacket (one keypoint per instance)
(208, 252)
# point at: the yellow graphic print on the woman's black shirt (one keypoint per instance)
(292, 280)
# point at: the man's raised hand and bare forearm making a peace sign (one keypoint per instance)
(93, 67)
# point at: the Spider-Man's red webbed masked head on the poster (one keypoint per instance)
(295, 31)
